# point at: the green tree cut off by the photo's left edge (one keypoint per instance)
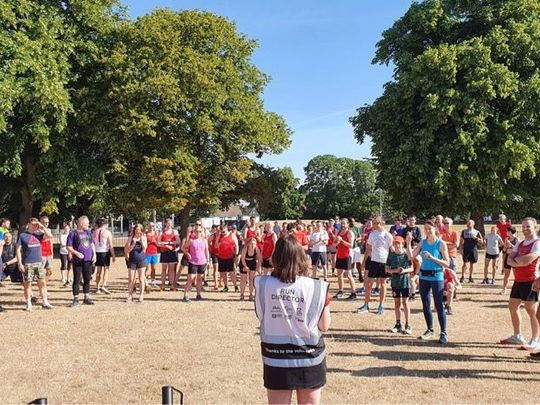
(46, 50)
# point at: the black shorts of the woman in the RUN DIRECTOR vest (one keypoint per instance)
(280, 378)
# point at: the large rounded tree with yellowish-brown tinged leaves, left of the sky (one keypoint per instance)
(181, 111)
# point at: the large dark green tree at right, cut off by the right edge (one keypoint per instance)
(457, 130)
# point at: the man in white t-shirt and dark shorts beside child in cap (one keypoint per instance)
(377, 248)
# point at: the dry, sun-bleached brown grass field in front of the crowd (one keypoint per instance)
(118, 353)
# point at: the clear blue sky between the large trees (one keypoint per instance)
(318, 54)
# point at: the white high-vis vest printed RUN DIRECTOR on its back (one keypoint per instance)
(289, 315)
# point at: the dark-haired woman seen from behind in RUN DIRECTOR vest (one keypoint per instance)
(293, 310)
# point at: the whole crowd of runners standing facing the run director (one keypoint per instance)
(406, 259)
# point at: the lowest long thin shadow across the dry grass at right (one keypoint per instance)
(395, 371)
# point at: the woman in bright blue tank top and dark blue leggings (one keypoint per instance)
(434, 260)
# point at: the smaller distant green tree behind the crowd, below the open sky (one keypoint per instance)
(340, 186)
